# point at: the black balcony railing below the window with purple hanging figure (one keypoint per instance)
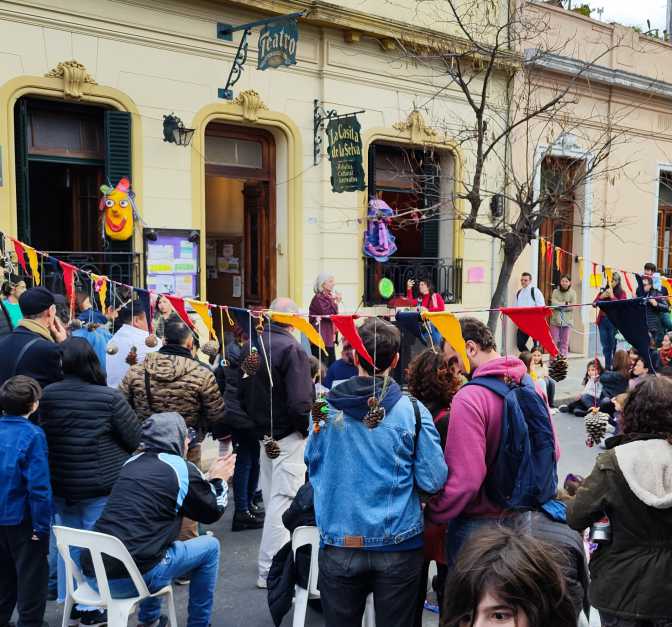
(446, 276)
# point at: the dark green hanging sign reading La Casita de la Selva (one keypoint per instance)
(345, 154)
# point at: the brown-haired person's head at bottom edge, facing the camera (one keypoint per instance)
(507, 579)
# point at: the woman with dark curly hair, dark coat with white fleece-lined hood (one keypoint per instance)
(631, 485)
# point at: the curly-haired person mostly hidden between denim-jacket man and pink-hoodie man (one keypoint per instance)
(434, 380)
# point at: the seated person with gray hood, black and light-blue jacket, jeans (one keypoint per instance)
(155, 489)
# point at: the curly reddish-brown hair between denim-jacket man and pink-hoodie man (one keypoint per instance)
(430, 379)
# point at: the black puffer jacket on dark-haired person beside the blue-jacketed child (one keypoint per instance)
(91, 431)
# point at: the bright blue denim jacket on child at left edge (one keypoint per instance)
(24, 474)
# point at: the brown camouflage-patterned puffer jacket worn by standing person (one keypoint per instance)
(176, 383)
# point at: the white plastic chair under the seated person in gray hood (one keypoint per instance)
(118, 610)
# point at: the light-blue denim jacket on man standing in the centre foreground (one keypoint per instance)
(365, 479)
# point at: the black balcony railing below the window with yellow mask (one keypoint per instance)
(123, 267)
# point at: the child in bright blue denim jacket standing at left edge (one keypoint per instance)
(25, 505)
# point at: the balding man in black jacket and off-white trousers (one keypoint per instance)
(281, 411)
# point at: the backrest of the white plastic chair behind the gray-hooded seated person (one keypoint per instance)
(97, 544)
